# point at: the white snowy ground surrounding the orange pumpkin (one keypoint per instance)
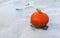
(16, 23)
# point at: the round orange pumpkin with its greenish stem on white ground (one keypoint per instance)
(39, 19)
